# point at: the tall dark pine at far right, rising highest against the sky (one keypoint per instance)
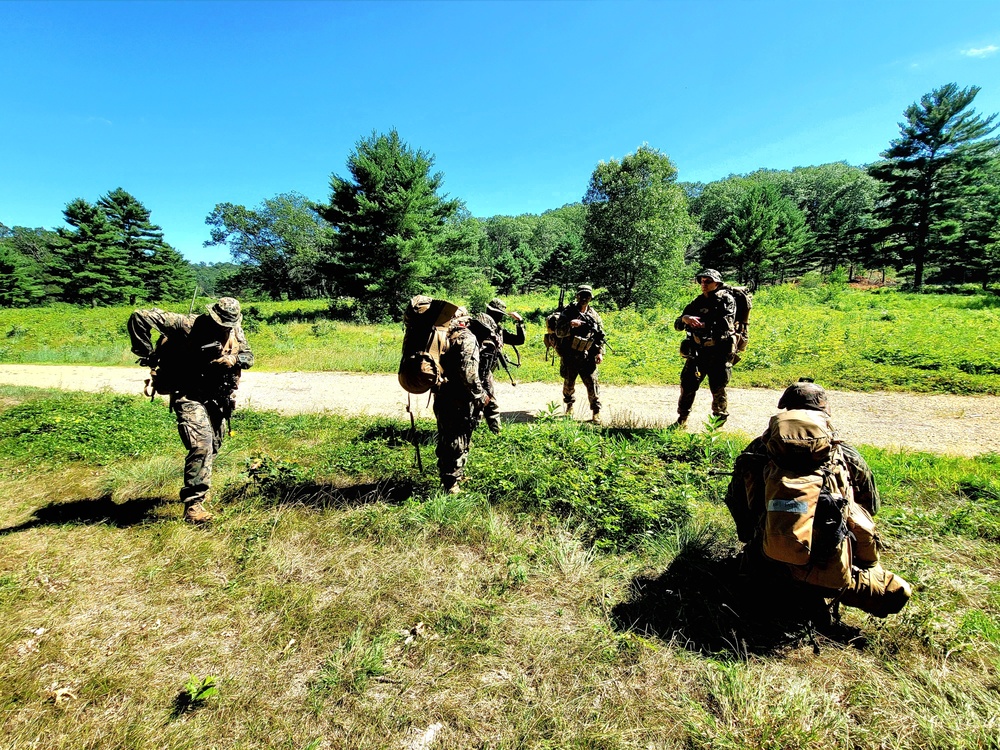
(931, 172)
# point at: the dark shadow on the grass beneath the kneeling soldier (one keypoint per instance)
(707, 603)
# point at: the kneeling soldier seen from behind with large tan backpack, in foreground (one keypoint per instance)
(804, 501)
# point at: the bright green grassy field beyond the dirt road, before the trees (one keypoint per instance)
(844, 338)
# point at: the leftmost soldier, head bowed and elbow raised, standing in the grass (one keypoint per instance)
(198, 362)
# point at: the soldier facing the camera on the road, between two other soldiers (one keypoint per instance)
(580, 335)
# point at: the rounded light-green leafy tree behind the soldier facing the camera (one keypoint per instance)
(637, 226)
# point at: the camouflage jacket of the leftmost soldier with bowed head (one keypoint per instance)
(194, 341)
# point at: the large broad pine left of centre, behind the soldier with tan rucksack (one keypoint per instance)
(389, 221)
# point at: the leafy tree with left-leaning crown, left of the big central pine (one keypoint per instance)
(283, 245)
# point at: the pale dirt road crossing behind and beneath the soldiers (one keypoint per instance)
(961, 425)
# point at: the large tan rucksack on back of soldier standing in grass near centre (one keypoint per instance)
(425, 338)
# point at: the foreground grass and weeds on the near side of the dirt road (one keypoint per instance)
(579, 594)
